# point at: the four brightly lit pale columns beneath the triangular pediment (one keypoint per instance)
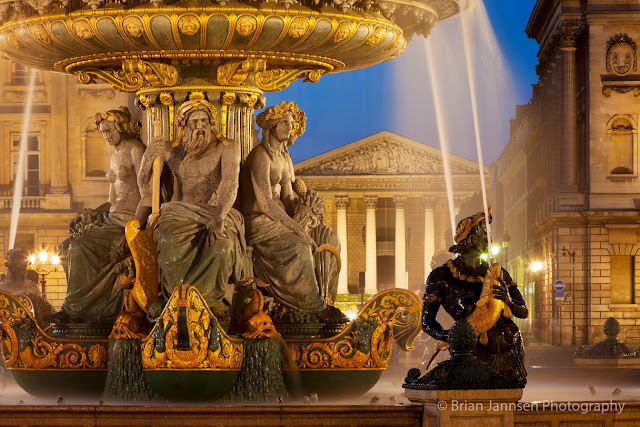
(371, 279)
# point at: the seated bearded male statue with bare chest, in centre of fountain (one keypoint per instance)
(199, 235)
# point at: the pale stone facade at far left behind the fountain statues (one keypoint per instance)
(66, 159)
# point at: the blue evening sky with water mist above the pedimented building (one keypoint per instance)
(344, 107)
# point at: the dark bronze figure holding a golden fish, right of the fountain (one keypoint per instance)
(457, 287)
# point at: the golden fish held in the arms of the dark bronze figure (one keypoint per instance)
(487, 312)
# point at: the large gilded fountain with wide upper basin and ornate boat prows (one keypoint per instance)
(223, 55)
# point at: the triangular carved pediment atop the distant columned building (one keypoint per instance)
(384, 153)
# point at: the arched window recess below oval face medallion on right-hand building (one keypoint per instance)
(622, 146)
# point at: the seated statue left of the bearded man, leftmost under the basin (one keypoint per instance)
(96, 256)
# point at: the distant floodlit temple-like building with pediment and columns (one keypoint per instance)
(386, 198)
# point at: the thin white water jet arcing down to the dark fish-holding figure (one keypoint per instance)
(466, 19)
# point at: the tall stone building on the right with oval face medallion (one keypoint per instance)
(567, 186)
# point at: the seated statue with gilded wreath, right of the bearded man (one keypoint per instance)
(283, 248)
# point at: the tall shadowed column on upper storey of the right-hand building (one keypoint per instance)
(570, 102)
